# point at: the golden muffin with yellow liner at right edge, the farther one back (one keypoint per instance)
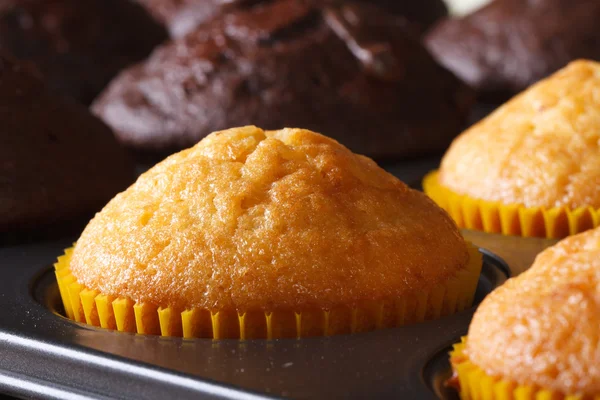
(537, 154)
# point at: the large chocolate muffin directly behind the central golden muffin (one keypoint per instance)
(352, 71)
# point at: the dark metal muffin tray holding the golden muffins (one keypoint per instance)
(44, 355)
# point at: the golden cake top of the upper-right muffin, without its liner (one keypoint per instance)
(539, 149)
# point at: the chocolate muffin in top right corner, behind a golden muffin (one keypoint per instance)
(506, 46)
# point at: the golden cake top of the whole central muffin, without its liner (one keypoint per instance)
(252, 220)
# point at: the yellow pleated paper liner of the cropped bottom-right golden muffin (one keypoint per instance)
(475, 384)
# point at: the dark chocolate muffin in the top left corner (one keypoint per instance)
(78, 45)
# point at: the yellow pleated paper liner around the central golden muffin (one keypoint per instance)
(125, 315)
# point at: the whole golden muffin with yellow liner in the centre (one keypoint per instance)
(254, 234)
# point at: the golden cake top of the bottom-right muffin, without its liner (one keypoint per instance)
(543, 327)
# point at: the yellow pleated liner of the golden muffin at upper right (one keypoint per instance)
(511, 219)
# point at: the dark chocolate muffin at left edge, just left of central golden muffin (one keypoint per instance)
(58, 162)
